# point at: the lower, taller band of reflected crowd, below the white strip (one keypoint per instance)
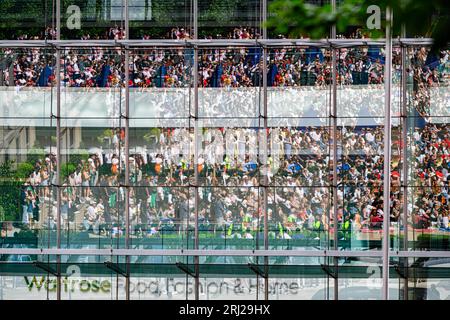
(231, 173)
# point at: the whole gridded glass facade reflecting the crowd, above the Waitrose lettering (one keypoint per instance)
(146, 162)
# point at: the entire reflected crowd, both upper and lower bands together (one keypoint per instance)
(230, 167)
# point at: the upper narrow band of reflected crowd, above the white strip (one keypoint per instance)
(287, 67)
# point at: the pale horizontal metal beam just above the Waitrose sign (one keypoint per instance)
(253, 253)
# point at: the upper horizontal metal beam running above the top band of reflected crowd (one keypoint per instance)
(337, 43)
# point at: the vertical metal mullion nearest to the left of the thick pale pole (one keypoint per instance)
(335, 155)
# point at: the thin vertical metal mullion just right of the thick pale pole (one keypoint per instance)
(405, 157)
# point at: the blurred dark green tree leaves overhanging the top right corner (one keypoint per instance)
(296, 18)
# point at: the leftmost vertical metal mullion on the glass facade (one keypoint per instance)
(58, 149)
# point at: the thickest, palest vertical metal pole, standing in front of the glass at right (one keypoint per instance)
(387, 153)
